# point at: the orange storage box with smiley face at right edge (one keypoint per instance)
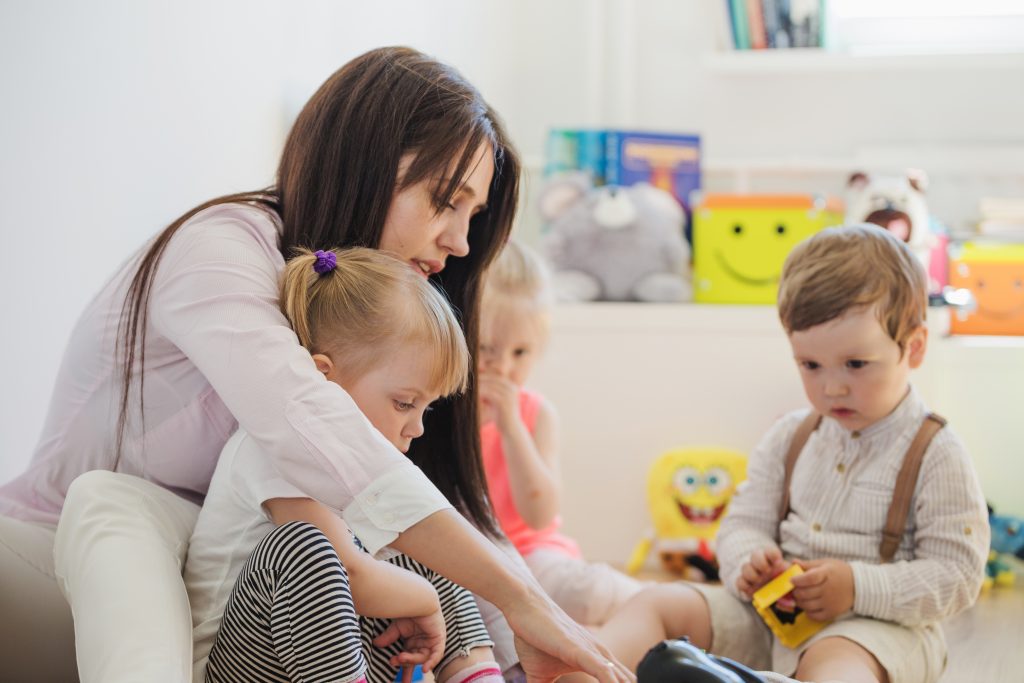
(995, 276)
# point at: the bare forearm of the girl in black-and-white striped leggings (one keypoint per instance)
(379, 589)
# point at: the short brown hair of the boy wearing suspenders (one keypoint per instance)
(847, 268)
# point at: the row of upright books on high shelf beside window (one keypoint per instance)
(762, 25)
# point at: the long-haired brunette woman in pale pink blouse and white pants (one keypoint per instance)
(187, 343)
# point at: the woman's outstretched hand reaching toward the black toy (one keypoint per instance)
(550, 645)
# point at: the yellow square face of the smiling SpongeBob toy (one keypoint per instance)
(690, 491)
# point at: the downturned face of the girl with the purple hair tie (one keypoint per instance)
(394, 397)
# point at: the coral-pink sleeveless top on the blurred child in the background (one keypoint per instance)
(525, 539)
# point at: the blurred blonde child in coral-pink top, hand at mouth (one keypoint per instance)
(521, 446)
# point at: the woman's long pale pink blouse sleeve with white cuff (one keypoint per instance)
(216, 297)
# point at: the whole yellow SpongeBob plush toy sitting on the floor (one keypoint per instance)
(689, 491)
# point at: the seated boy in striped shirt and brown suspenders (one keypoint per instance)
(852, 302)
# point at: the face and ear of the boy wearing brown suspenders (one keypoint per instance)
(852, 369)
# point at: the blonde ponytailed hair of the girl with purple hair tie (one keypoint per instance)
(366, 309)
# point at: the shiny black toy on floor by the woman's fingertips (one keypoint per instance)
(681, 662)
